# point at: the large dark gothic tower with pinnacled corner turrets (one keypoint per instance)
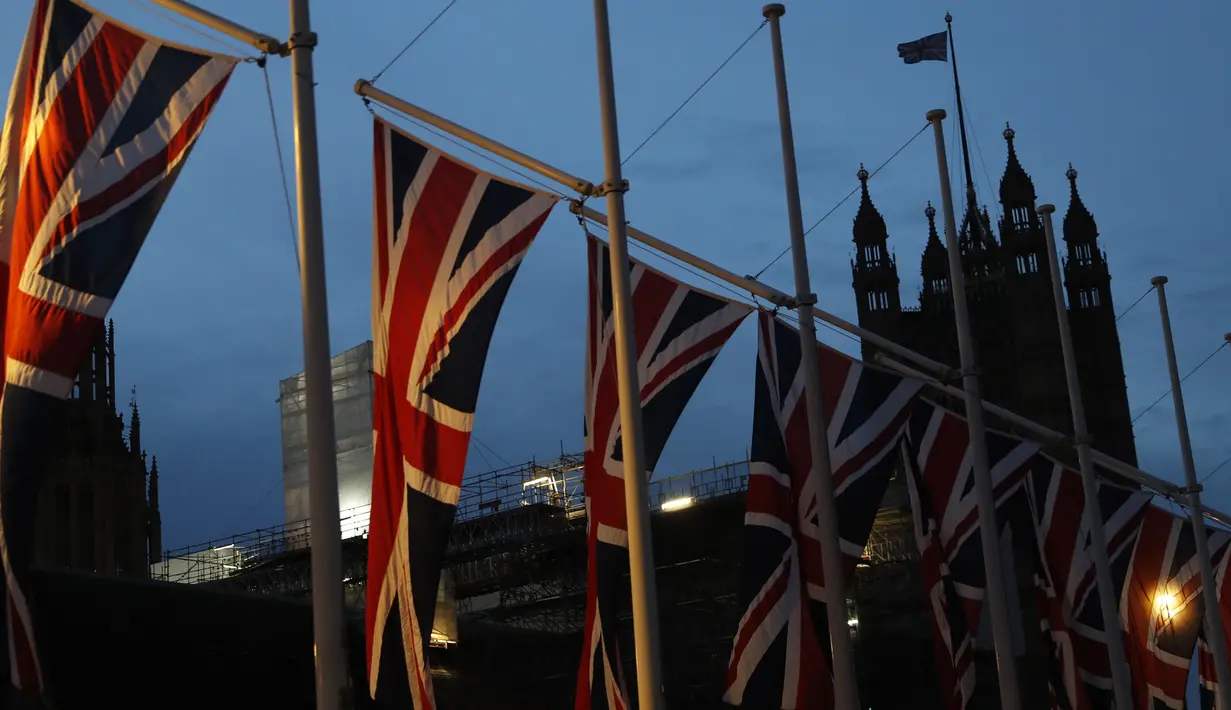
(1009, 289)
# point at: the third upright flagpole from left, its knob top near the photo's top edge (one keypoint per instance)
(846, 695)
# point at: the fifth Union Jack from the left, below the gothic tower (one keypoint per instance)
(942, 488)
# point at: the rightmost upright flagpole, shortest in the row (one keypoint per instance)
(1214, 634)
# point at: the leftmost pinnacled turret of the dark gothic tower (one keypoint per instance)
(875, 271)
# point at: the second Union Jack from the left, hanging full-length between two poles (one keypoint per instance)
(449, 242)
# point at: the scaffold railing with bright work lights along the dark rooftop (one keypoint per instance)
(558, 483)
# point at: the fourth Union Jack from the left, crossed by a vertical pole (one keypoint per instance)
(781, 649)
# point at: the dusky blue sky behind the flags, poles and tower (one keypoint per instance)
(210, 319)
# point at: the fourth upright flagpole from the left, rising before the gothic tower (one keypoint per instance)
(994, 568)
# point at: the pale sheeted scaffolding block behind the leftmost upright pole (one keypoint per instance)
(353, 423)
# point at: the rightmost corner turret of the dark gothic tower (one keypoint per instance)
(1096, 338)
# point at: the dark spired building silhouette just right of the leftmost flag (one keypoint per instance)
(95, 513)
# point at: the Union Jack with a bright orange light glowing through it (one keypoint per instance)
(1163, 607)
